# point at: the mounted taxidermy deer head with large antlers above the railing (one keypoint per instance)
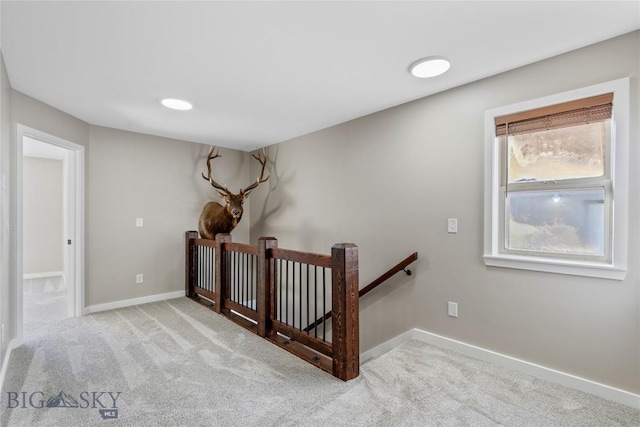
(216, 218)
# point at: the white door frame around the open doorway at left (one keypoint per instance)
(74, 221)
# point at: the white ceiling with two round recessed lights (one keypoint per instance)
(263, 72)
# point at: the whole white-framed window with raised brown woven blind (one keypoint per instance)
(551, 168)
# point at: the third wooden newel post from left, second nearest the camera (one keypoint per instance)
(266, 278)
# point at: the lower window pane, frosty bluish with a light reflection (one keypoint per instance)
(562, 222)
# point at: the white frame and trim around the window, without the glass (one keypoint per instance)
(615, 267)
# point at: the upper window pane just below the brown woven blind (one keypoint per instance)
(565, 153)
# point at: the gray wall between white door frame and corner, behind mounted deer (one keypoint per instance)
(157, 179)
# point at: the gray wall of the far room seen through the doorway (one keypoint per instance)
(42, 215)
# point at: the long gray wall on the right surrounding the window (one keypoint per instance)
(388, 182)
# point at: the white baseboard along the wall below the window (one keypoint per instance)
(548, 374)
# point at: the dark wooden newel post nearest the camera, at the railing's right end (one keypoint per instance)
(345, 311)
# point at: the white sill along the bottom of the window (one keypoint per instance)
(575, 268)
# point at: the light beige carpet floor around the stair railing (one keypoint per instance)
(175, 363)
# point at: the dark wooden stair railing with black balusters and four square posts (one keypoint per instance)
(238, 281)
